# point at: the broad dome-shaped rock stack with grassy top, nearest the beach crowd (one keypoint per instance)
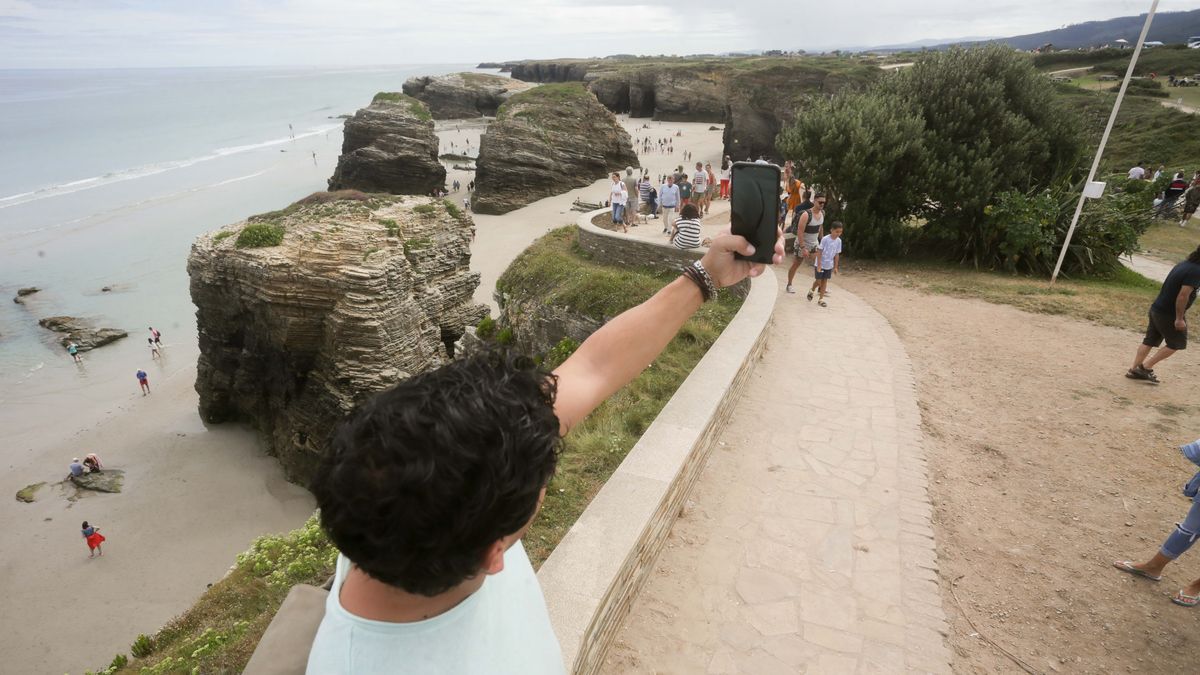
(544, 142)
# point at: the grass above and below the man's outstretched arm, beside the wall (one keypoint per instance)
(556, 270)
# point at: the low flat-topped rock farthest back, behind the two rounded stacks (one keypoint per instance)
(464, 95)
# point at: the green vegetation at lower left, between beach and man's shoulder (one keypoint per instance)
(220, 632)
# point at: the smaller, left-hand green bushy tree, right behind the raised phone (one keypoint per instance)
(862, 150)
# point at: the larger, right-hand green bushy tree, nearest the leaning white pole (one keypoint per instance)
(993, 126)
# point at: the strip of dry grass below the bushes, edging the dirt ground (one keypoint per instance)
(1120, 302)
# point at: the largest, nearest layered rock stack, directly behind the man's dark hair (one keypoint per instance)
(359, 296)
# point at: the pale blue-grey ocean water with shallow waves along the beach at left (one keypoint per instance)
(107, 177)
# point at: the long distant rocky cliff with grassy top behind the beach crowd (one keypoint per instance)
(755, 97)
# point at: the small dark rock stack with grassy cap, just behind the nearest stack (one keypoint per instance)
(391, 147)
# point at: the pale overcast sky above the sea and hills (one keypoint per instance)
(230, 33)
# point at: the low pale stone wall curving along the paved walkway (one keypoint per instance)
(596, 572)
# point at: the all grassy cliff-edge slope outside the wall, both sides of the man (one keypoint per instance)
(220, 632)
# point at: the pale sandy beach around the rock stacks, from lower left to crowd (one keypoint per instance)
(195, 497)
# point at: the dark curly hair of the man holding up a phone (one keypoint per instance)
(424, 477)
